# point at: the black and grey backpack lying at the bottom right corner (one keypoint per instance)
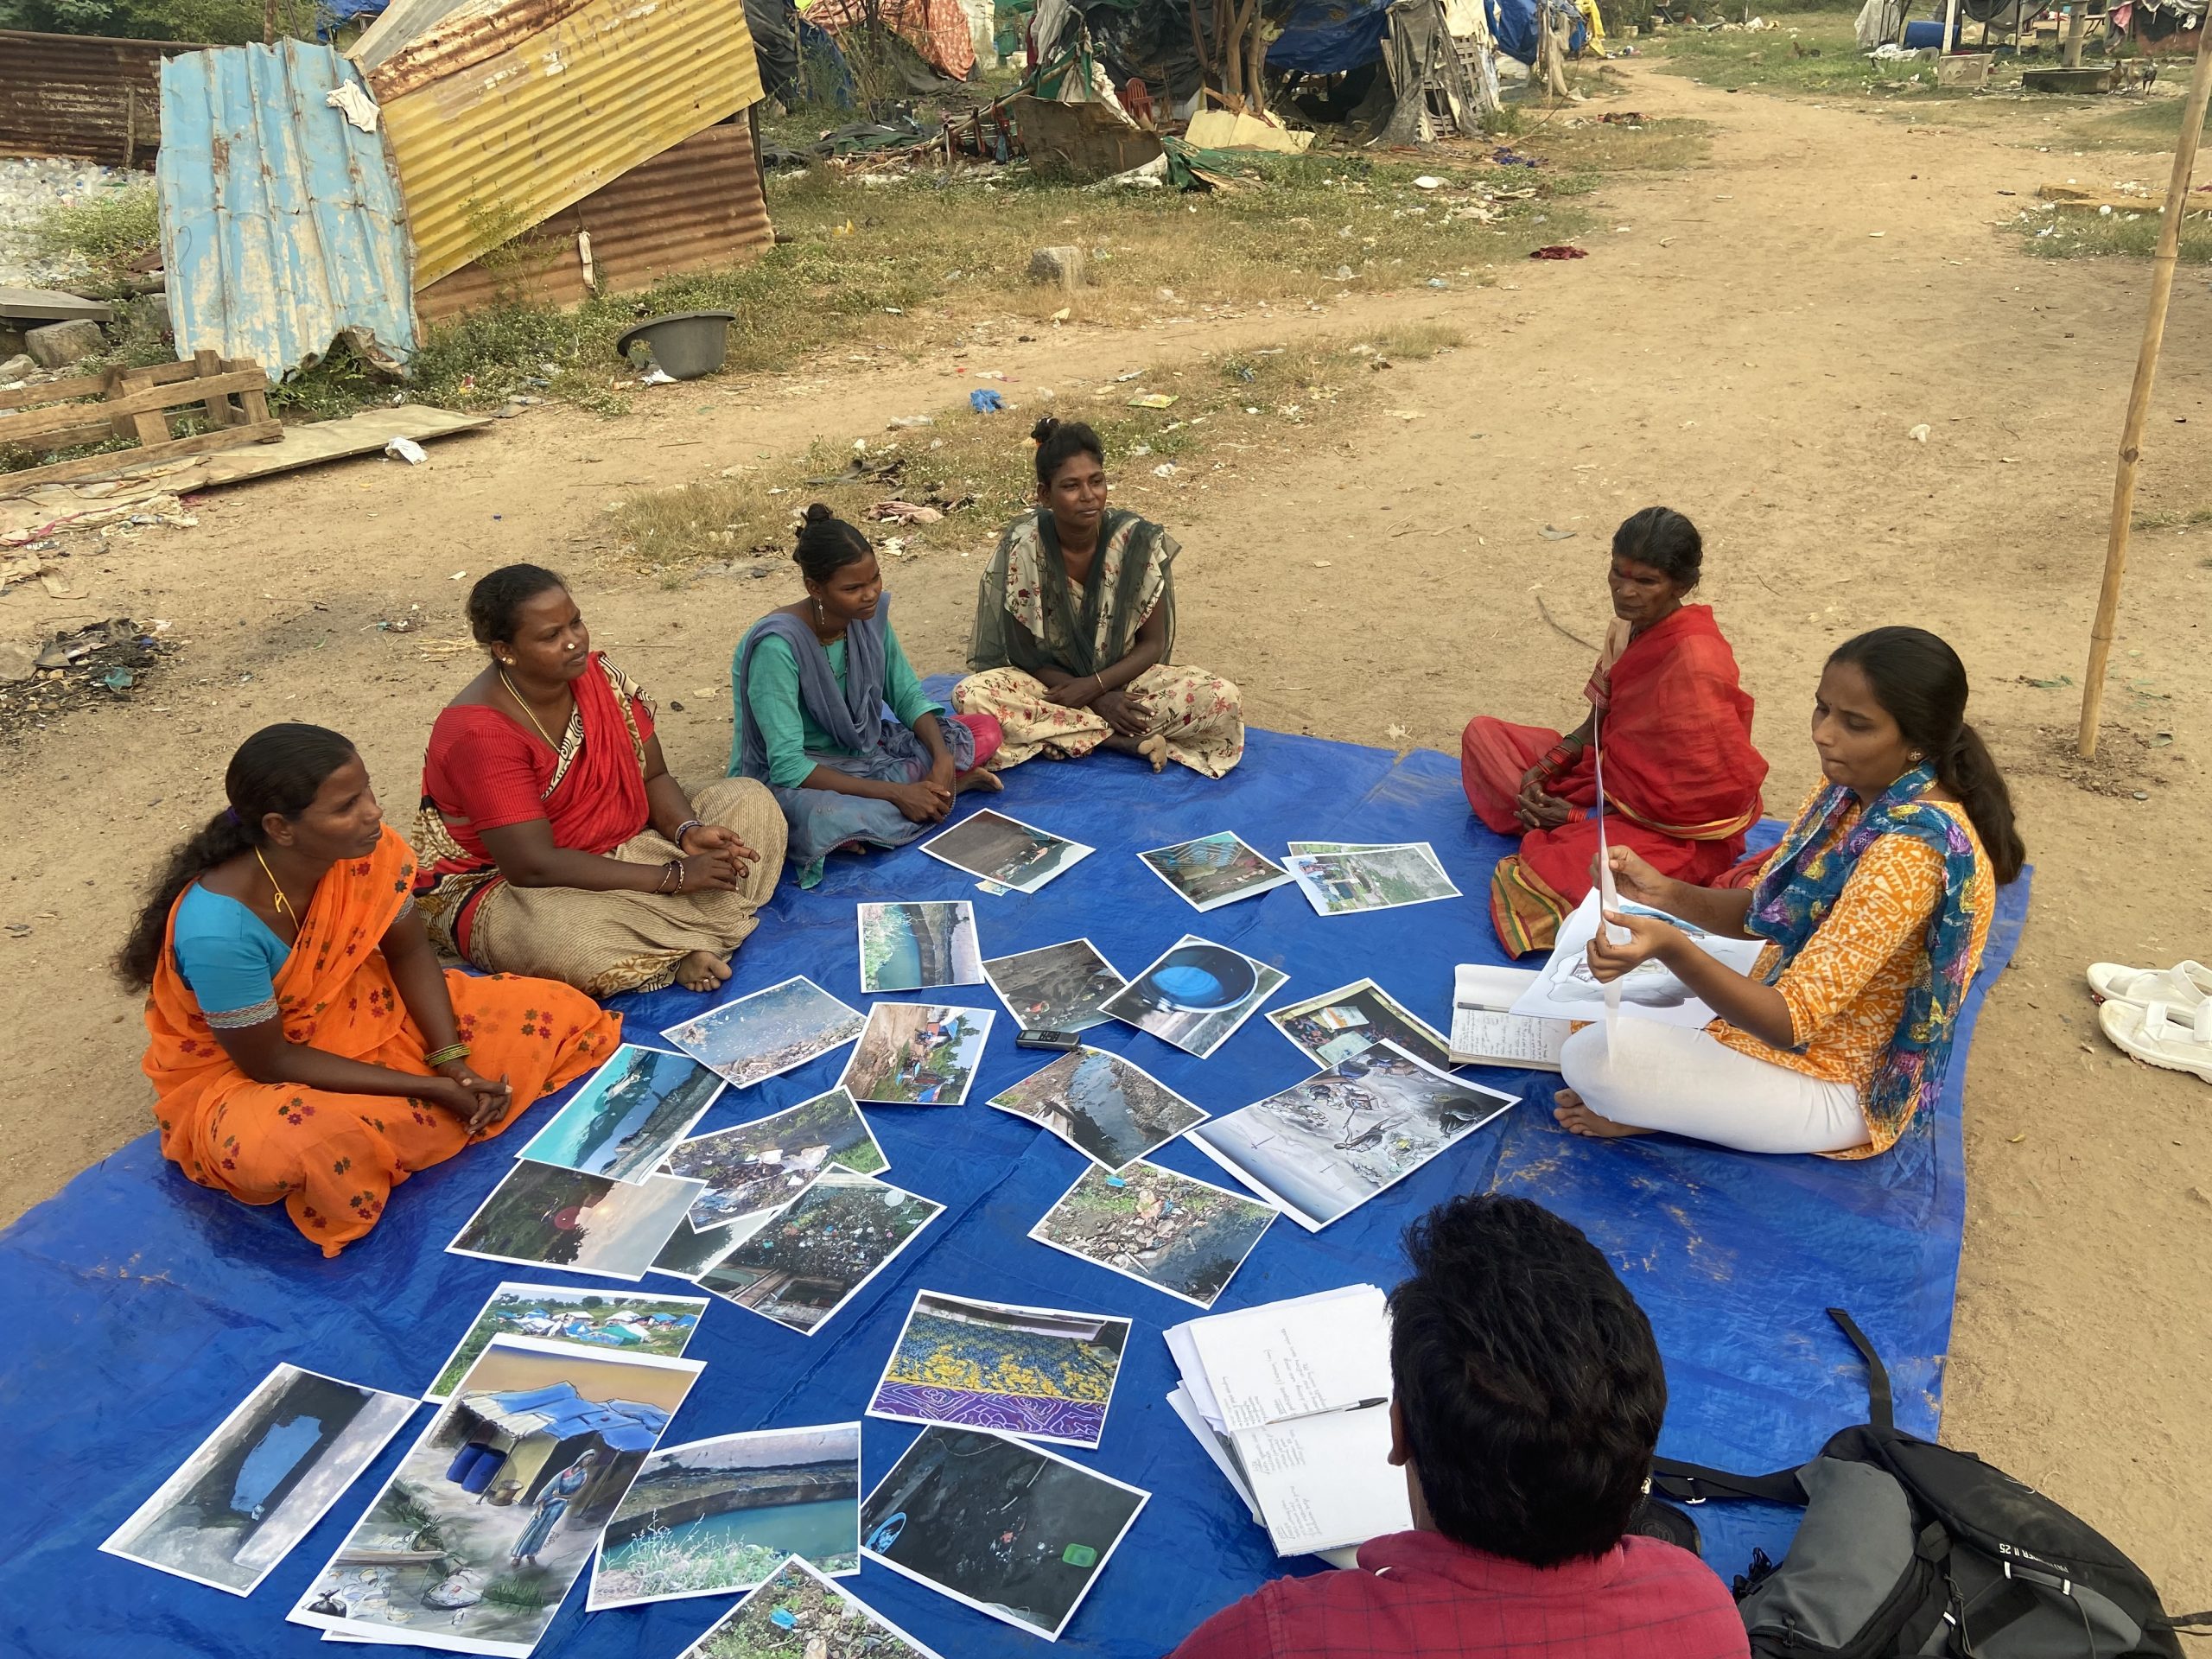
(1917, 1550)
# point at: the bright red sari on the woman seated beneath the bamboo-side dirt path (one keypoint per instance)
(1682, 778)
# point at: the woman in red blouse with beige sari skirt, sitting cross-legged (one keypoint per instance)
(554, 837)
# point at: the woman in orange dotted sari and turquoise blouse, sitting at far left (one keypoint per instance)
(302, 1041)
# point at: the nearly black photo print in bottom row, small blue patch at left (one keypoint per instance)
(1001, 1525)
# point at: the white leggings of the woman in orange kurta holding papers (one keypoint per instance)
(1689, 1083)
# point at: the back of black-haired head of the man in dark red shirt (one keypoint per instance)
(1527, 1381)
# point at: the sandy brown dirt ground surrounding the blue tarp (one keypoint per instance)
(1751, 346)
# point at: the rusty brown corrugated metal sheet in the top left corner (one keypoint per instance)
(83, 96)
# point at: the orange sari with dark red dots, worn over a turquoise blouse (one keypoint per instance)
(333, 1160)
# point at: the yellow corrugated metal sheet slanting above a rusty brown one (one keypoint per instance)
(501, 118)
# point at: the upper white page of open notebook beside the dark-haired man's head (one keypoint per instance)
(1297, 1359)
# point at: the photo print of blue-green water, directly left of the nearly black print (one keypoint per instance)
(720, 1516)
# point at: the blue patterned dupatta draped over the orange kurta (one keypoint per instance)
(1804, 884)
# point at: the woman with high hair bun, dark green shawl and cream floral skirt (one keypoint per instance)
(1076, 623)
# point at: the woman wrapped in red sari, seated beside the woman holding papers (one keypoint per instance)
(1676, 727)
